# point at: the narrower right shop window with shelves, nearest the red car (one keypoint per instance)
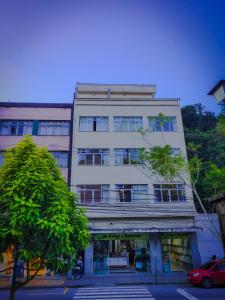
(176, 252)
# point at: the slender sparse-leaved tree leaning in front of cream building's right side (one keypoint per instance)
(161, 162)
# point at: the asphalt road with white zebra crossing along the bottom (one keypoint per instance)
(142, 292)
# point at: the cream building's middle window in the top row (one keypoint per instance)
(127, 123)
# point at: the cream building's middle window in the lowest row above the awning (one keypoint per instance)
(131, 192)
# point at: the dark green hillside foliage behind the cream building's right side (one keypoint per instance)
(205, 140)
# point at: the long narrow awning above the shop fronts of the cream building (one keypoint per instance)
(146, 230)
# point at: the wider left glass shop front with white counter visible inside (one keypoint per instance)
(121, 253)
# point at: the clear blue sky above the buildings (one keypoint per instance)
(47, 46)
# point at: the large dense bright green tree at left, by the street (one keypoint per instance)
(39, 217)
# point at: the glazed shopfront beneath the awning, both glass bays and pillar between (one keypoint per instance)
(139, 252)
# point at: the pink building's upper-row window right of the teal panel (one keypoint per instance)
(53, 128)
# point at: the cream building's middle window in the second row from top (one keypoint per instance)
(127, 156)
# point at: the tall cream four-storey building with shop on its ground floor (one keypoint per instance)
(138, 223)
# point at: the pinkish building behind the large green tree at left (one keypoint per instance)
(48, 123)
